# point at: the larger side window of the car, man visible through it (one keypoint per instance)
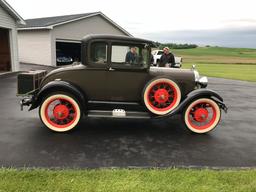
(129, 55)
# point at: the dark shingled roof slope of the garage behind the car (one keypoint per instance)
(48, 21)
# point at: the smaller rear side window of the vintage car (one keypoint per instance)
(99, 53)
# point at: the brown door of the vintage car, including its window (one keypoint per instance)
(125, 81)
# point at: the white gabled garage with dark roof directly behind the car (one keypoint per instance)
(56, 40)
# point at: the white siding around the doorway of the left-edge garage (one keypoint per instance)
(6, 21)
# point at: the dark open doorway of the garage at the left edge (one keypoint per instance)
(5, 55)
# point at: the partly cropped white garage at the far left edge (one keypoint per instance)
(8, 37)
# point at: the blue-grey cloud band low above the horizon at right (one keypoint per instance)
(232, 37)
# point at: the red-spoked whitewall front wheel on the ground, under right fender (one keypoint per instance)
(202, 115)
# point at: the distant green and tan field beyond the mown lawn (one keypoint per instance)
(217, 55)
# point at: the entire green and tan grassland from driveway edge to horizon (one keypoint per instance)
(230, 63)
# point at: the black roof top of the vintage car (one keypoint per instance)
(118, 38)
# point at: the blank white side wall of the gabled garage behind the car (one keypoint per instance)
(35, 47)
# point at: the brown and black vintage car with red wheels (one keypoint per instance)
(106, 84)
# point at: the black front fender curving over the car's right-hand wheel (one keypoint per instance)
(196, 94)
